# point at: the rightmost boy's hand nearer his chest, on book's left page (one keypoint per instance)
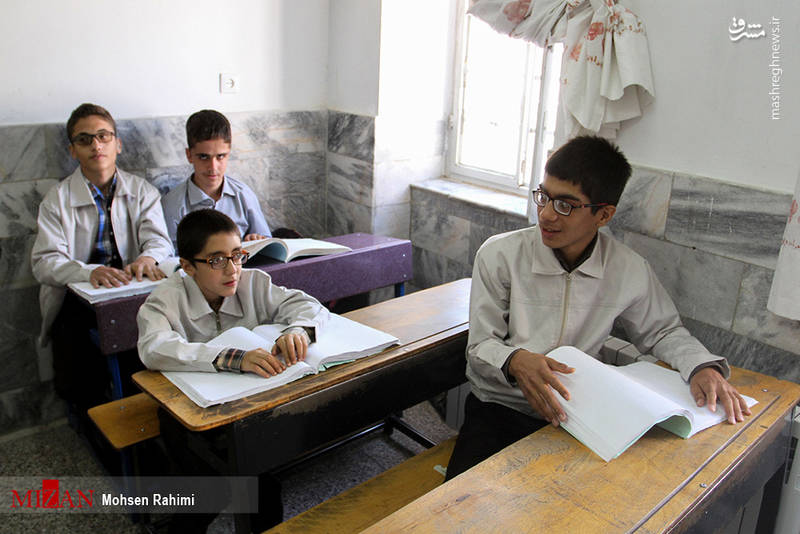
(534, 374)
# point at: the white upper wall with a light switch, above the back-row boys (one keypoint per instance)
(147, 58)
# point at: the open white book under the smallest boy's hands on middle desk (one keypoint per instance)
(341, 340)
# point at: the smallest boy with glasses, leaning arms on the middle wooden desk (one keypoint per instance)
(183, 313)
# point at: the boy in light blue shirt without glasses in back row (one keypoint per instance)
(208, 136)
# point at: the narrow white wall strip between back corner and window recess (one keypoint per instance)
(353, 56)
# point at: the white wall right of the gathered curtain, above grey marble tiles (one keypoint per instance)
(711, 115)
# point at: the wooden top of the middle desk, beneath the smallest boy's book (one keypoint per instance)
(419, 320)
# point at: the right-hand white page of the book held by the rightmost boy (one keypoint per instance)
(669, 383)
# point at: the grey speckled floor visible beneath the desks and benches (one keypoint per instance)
(58, 451)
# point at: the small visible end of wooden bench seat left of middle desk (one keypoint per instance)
(127, 421)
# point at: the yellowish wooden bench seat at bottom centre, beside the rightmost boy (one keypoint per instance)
(369, 502)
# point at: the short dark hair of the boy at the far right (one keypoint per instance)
(595, 164)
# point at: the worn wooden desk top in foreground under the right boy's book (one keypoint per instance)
(550, 482)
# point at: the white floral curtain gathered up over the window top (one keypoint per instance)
(605, 73)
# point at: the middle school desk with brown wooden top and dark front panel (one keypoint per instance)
(309, 413)
